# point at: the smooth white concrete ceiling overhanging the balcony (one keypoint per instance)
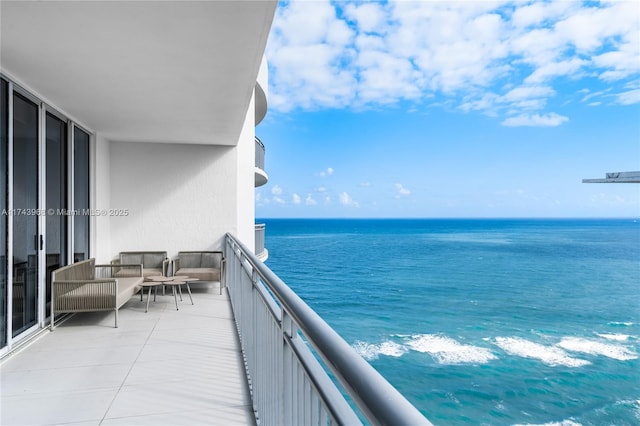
(143, 71)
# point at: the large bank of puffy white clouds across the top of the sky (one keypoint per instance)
(469, 55)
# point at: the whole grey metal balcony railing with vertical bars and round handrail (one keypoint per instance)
(289, 384)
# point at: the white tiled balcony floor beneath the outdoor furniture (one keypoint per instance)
(164, 367)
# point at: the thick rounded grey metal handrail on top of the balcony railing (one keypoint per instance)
(378, 400)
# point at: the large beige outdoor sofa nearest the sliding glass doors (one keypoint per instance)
(87, 287)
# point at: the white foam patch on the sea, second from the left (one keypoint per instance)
(449, 351)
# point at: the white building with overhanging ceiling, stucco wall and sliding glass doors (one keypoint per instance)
(125, 126)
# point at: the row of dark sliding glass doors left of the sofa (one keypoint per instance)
(44, 206)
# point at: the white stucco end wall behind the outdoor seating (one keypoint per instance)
(178, 196)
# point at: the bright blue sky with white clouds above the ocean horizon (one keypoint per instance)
(451, 109)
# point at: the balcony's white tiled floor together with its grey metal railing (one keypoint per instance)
(243, 357)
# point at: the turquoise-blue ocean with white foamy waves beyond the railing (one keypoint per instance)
(494, 322)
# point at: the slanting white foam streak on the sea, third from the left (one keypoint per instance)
(549, 355)
